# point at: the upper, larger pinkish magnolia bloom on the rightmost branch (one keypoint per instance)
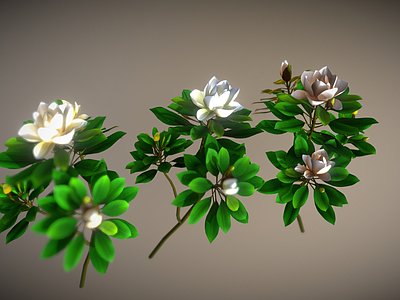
(320, 87)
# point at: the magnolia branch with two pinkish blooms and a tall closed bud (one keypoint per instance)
(318, 109)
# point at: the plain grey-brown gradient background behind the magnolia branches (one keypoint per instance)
(122, 58)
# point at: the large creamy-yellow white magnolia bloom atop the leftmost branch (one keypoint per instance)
(53, 124)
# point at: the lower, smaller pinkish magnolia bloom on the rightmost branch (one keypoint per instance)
(316, 165)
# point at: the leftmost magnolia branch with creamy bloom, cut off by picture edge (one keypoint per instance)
(84, 189)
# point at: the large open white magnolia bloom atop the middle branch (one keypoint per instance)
(218, 99)
